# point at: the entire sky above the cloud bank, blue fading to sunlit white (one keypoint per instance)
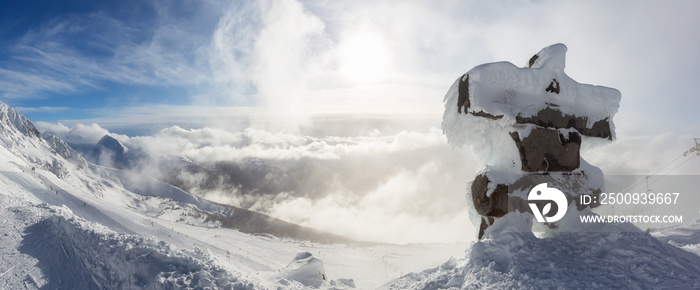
(143, 63)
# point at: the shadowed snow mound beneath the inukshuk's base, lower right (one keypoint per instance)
(622, 257)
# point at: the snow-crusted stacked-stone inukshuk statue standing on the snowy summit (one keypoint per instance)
(526, 126)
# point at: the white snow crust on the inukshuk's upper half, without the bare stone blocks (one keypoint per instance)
(506, 91)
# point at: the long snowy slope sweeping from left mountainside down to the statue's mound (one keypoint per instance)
(65, 223)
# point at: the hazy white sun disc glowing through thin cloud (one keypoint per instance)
(363, 58)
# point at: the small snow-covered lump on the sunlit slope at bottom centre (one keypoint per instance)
(306, 269)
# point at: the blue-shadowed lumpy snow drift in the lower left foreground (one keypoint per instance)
(79, 255)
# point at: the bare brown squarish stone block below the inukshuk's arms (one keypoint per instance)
(548, 150)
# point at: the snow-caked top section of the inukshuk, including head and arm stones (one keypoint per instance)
(493, 98)
